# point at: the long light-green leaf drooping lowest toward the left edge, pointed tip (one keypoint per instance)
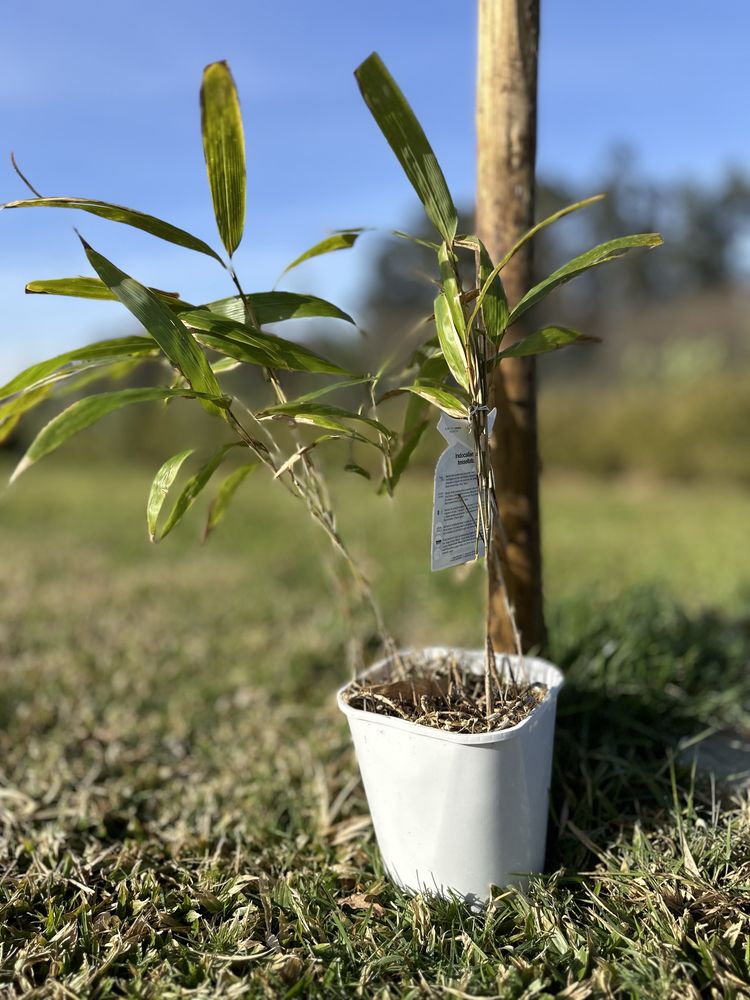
(87, 411)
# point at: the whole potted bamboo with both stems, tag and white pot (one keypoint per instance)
(454, 746)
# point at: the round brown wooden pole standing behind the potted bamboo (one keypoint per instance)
(506, 159)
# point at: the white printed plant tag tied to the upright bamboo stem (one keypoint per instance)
(454, 510)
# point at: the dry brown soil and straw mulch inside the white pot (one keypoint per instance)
(441, 692)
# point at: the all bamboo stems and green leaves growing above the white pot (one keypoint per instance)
(198, 345)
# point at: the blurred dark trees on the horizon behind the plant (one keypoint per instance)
(691, 289)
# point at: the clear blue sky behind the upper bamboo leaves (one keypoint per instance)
(101, 100)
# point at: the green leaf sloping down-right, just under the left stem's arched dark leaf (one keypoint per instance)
(256, 347)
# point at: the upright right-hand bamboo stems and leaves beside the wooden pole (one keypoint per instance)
(451, 369)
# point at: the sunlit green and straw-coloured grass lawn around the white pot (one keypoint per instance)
(179, 808)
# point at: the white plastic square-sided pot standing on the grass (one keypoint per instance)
(457, 813)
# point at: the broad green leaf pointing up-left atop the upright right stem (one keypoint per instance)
(406, 138)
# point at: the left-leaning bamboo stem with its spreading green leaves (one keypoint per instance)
(197, 345)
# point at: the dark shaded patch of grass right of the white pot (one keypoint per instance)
(642, 677)
